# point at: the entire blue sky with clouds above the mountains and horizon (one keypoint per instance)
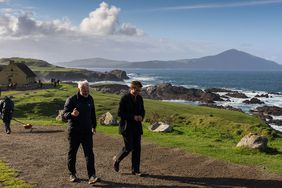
(64, 30)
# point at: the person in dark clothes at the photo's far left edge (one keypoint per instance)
(6, 109)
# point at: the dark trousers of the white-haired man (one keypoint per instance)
(86, 140)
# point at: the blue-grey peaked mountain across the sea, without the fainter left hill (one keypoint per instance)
(227, 60)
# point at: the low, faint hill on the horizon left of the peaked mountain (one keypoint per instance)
(94, 62)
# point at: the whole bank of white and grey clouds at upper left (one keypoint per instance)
(102, 21)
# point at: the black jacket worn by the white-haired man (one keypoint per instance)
(86, 120)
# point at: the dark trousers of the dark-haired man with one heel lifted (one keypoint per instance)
(132, 143)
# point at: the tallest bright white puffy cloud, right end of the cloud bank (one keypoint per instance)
(105, 21)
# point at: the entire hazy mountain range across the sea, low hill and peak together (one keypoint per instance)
(228, 60)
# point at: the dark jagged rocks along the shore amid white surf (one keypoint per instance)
(208, 97)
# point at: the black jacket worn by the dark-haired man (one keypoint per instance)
(128, 108)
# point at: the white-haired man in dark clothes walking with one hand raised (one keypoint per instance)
(79, 110)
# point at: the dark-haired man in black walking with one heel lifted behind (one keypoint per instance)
(131, 111)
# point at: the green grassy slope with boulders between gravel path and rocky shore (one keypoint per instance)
(201, 130)
